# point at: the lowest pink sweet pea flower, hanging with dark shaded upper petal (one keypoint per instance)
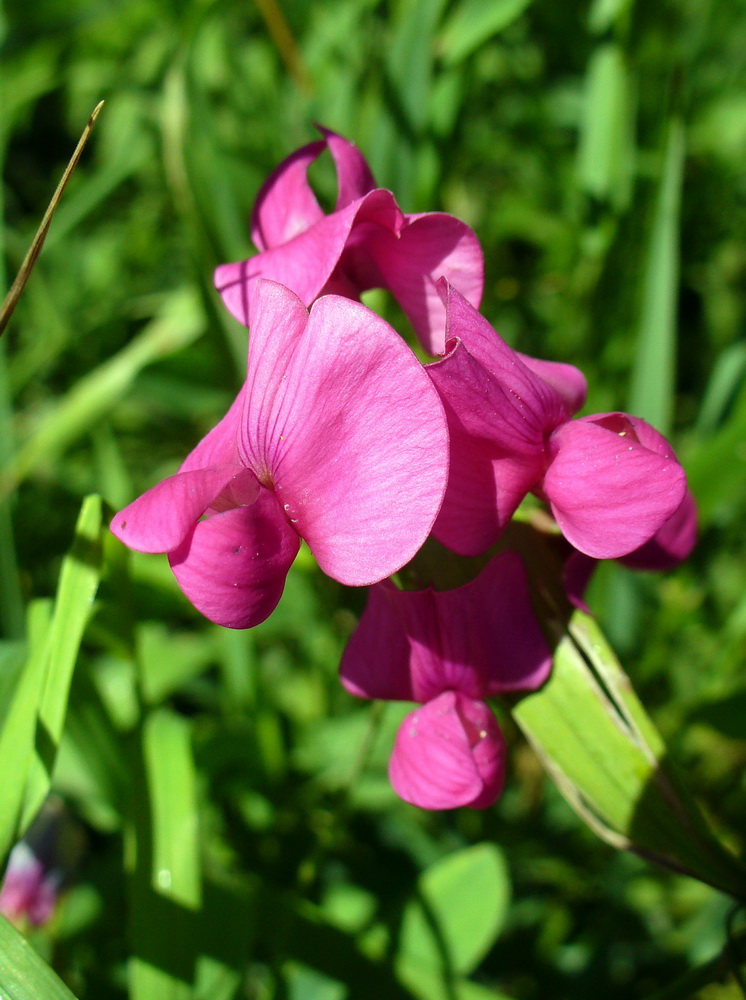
(449, 650)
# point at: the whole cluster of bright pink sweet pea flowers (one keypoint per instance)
(342, 437)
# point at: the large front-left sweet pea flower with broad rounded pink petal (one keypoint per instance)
(337, 437)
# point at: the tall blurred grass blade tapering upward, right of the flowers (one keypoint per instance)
(654, 373)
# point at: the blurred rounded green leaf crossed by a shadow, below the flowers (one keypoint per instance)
(459, 909)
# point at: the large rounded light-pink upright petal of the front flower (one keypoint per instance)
(353, 436)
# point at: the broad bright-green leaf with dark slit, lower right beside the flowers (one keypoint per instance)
(606, 757)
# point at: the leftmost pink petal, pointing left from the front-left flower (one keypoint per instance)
(160, 519)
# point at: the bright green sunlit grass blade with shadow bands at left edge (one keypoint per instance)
(79, 579)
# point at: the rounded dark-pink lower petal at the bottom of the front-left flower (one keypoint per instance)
(233, 565)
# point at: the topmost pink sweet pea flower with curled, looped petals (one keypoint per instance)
(365, 242)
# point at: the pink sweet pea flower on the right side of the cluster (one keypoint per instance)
(611, 480)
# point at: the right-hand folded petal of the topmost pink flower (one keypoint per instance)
(430, 246)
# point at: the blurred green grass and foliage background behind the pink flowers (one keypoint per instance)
(598, 150)
